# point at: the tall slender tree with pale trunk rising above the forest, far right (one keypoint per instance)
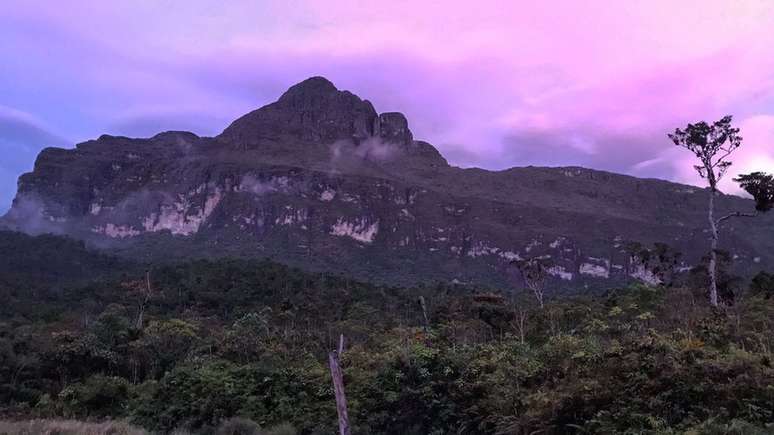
(712, 144)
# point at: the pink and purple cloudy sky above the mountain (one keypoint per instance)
(492, 84)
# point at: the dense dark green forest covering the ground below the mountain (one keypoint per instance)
(196, 344)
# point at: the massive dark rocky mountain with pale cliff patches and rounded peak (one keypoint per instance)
(319, 179)
